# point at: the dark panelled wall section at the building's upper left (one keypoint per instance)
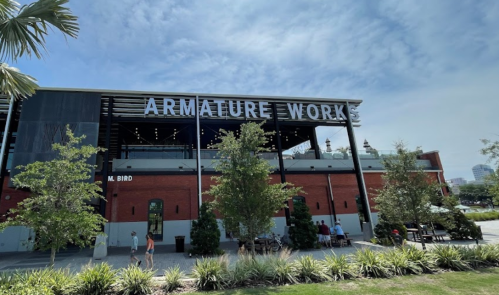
(43, 122)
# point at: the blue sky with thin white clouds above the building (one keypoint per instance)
(427, 71)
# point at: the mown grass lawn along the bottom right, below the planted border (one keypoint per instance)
(483, 281)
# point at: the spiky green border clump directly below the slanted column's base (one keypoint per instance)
(370, 264)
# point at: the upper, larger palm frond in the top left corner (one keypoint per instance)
(25, 33)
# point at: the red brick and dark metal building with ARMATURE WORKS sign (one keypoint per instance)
(153, 175)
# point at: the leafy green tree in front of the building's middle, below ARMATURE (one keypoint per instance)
(243, 193)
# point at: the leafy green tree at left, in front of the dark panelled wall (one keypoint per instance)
(57, 209)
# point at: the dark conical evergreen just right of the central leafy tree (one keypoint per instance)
(303, 232)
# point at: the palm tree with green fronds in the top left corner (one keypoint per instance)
(22, 33)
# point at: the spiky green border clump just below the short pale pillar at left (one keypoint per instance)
(94, 279)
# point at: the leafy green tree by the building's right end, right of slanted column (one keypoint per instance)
(408, 191)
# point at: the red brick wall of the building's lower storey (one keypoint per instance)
(127, 201)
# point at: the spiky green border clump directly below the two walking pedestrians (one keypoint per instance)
(134, 280)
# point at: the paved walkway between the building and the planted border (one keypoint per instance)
(165, 256)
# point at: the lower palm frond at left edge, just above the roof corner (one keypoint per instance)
(15, 84)
